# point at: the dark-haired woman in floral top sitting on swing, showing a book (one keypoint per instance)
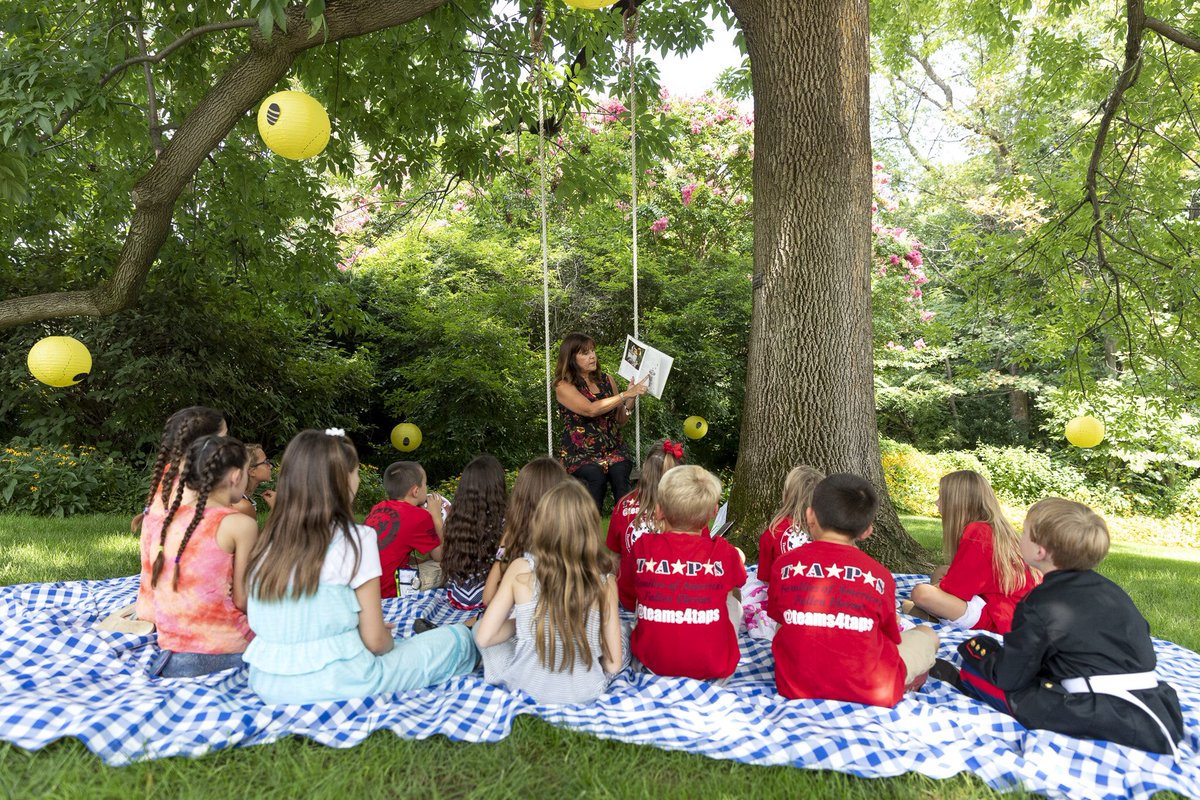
(593, 412)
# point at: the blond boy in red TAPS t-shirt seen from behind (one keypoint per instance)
(686, 585)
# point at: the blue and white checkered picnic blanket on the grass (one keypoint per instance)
(61, 677)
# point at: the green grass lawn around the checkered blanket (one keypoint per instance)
(536, 761)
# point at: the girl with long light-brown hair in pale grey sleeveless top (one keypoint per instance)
(554, 630)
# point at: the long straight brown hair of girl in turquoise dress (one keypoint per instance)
(313, 502)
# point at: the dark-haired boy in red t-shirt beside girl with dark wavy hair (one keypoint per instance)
(404, 522)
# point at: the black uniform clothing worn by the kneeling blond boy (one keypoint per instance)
(1079, 624)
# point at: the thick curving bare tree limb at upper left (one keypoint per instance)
(154, 196)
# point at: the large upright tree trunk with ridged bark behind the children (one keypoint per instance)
(811, 393)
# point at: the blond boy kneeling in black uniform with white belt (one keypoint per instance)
(1079, 659)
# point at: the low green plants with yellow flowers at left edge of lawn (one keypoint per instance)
(64, 480)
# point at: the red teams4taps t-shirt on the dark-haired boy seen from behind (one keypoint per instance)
(838, 633)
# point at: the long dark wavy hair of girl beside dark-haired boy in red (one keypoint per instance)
(476, 522)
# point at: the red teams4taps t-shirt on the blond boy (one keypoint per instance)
(682, 582)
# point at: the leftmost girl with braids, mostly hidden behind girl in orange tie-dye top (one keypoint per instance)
(184, 428)
